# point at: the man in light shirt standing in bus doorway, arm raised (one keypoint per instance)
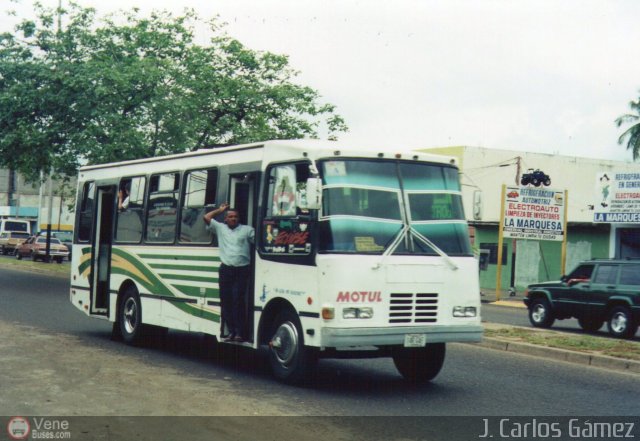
(235, 242)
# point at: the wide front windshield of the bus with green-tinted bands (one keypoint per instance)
(368, 203)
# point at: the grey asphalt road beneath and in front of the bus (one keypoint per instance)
(474, 381)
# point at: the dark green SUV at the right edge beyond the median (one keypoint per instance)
(596, 291)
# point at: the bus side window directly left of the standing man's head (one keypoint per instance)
(199, 197)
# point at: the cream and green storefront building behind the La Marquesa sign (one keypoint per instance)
(614, 233)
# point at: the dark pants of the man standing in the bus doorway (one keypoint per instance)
(233, 281)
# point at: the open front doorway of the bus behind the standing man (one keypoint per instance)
(243, 190)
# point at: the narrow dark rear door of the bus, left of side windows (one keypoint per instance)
(100, 263)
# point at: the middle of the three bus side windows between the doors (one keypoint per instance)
(162, 211)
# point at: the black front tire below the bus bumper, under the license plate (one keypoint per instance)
(419, 365)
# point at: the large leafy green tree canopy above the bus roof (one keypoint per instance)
(126, 87)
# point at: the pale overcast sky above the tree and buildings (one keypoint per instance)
(544, 76)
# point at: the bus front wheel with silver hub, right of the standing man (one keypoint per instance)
(291, 362)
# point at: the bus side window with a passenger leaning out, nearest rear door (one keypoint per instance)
(130, 220)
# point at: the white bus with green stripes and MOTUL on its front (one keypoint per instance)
(358, 253)
